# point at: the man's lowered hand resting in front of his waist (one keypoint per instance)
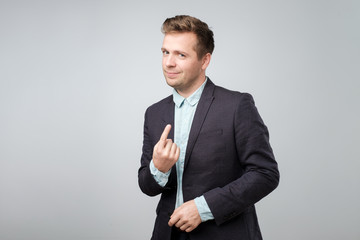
(186, 217)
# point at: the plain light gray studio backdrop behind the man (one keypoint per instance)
(77, 76)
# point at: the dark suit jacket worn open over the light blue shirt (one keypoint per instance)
(228, 160)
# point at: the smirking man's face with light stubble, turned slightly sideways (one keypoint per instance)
(181, 66)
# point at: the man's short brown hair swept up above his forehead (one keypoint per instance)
(184, 23)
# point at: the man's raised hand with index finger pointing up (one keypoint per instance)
(166, 153)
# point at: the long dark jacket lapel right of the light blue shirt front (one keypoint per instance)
(199, 117)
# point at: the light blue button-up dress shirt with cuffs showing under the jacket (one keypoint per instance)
(184, 114)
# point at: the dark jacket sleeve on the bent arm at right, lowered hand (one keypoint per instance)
(260, 172)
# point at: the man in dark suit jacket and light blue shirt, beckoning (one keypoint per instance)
(206, 149)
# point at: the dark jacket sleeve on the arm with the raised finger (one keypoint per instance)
(147, 182)
